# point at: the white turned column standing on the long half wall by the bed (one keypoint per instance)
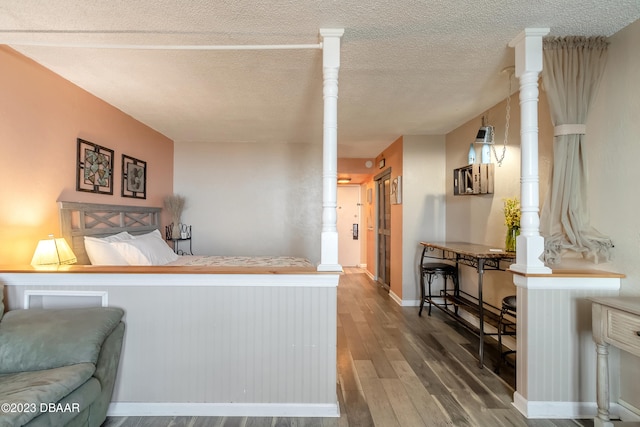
(330, 68)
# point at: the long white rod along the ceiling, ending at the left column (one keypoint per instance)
(166, 47)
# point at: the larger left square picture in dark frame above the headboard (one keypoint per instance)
(94, 168)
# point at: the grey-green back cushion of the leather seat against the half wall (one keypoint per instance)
(37, 339)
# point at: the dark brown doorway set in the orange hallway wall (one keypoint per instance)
(383, 190)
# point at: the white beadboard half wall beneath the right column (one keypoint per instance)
(556, 353)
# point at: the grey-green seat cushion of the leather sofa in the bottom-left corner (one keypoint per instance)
(27, 391)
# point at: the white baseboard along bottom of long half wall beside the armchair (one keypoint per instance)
(156, 409)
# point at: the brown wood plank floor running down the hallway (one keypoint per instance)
(396, 369)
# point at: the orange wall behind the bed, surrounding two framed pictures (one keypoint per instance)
(41, 116)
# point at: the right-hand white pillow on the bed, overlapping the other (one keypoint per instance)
(148, 249)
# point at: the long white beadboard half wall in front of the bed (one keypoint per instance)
(217, 344)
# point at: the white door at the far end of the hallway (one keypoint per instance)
(349, 231)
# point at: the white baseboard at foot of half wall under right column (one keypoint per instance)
(568, 410)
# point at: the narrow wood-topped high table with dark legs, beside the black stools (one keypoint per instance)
(480, 257)
